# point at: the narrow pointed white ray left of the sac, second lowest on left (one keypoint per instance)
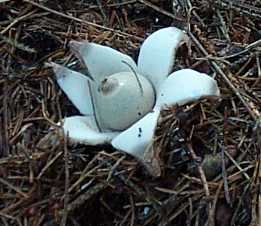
(76, 87)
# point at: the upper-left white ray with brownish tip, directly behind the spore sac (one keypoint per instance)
(100, 60)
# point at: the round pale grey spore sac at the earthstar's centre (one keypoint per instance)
(123, 99)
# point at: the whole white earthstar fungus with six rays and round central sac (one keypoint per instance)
(121, 101)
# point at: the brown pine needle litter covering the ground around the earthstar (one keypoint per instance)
(209, 150)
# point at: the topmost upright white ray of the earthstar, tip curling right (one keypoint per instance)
(157, 54)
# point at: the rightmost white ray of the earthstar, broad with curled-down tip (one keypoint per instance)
(184, 86)
